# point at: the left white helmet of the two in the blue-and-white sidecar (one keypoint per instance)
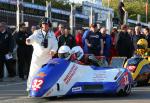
(64, 52)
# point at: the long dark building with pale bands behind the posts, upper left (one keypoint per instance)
(33, 12)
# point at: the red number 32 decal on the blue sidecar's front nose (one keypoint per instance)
(37, 84)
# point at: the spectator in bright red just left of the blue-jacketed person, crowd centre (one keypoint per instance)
(78, 37)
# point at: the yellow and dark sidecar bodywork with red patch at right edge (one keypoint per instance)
(139, 68)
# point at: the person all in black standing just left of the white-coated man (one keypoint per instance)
(24, 52)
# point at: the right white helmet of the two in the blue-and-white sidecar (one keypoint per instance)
(78, 51)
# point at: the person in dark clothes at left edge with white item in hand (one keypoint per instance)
(6, 49)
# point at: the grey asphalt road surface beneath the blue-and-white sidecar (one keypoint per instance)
(14, 92)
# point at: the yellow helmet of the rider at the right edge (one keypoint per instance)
(142, 44)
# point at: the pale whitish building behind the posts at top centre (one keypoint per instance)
(100, 13)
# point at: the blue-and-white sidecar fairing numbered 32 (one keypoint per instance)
(62, 77)
